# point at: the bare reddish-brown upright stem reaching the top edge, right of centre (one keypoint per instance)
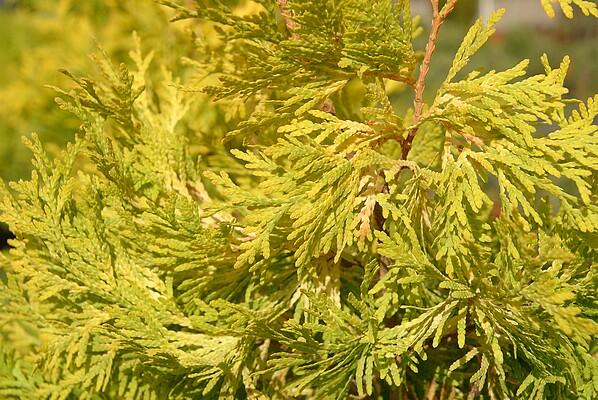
(420, 85)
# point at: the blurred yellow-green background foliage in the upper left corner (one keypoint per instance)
(39, 37)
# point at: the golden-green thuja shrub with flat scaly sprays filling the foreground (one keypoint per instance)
(301, 237)
